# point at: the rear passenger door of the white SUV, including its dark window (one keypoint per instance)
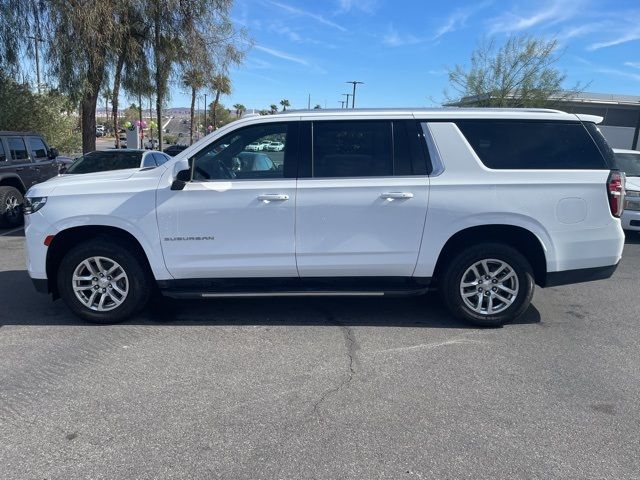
(368, 219)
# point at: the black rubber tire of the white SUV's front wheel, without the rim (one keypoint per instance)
(139, 280)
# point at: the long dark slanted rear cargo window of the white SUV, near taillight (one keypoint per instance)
(532, 145)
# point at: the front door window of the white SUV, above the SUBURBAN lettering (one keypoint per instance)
(243, 154)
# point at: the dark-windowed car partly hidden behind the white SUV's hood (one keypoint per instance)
(107, 160)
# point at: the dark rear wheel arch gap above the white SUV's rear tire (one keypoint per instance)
(520, 238)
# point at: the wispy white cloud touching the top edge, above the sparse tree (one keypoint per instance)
(553, 12)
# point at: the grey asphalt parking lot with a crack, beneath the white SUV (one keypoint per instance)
(321, 388)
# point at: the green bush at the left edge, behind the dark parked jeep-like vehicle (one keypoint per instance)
(50, 114)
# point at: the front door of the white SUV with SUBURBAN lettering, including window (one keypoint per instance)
(236, 217)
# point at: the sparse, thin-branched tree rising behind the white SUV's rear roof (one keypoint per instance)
(522, 72)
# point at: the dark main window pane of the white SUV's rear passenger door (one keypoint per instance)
(352, 149)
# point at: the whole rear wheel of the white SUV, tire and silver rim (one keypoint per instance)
(488, 285)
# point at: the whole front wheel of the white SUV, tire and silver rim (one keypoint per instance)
(102, 281)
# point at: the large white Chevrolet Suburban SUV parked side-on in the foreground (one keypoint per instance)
(482, 204)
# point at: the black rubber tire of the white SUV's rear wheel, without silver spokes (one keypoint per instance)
(450, 285)
